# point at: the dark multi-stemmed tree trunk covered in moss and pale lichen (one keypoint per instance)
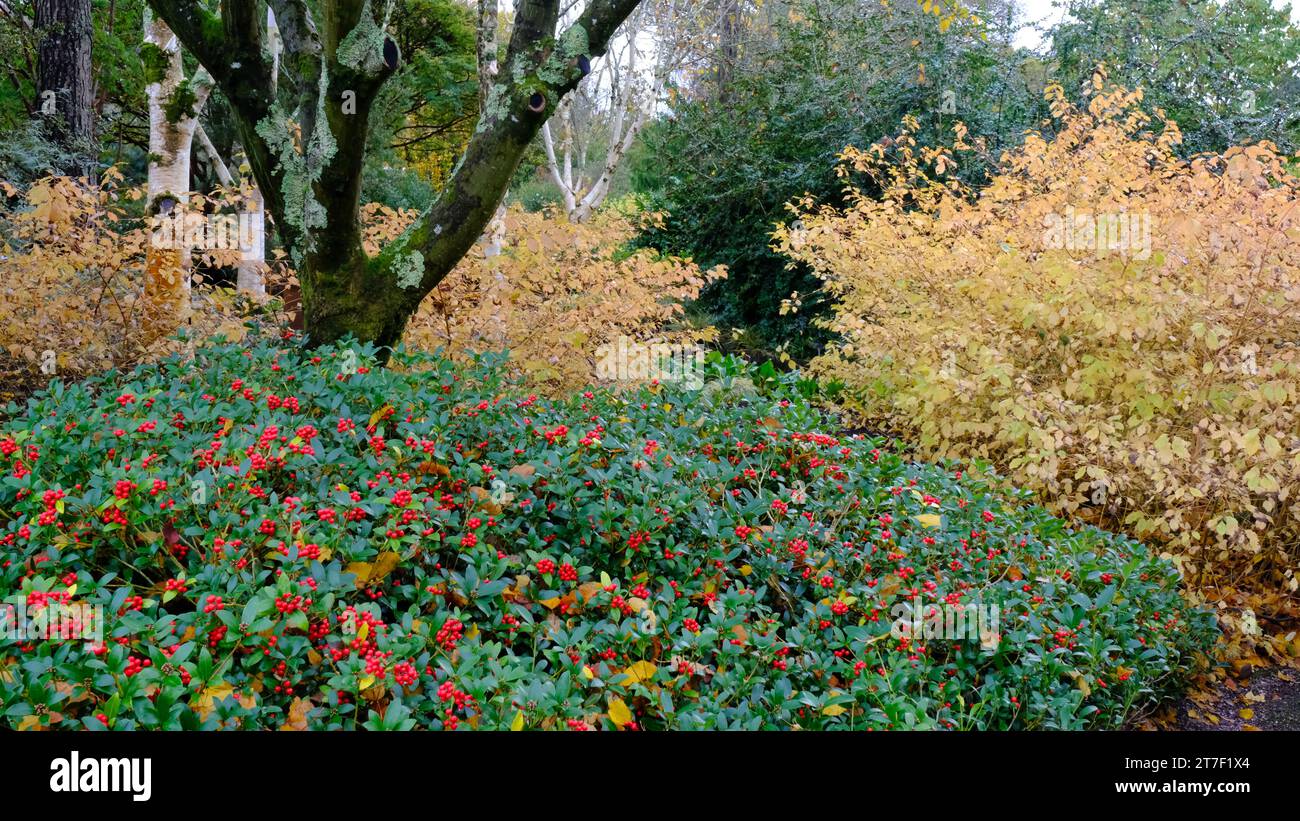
(307, 153)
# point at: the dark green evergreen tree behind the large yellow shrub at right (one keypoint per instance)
(792, 84)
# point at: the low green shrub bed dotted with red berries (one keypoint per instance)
(301, 541)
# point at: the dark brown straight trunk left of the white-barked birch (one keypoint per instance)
(64, 86)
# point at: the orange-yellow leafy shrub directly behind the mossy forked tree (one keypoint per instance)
(554, 296)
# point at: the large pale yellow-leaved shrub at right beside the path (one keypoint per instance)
(1113, 327)
